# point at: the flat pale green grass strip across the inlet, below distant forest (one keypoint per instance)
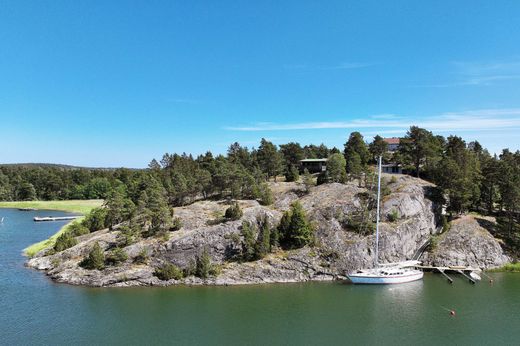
(72, 206)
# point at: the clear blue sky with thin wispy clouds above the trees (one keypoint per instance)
(117, 83)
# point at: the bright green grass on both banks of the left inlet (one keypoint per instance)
(73, 206)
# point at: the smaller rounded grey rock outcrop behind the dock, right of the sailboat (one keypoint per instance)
(468, 243)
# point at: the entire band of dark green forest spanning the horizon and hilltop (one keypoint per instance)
(468, 176)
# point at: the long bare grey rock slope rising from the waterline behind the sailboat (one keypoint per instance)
(339, 248)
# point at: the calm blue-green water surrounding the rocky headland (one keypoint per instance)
(34, 310)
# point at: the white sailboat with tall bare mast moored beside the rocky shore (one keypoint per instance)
(388, 273)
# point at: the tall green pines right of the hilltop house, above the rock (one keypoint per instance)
(468, 176)
